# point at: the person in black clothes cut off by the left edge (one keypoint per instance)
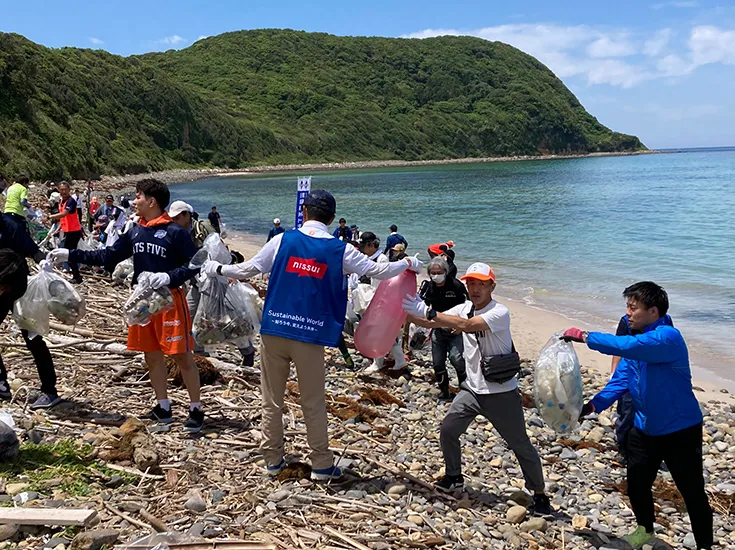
(16, 245)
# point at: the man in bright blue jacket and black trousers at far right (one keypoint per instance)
(654, 369)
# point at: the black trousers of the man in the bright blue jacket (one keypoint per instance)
(682, 452)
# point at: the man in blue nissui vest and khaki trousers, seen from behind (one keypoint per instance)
(304, 311)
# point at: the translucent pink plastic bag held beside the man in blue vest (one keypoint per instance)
(376, 333)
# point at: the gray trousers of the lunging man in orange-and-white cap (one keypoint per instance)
(505, 413)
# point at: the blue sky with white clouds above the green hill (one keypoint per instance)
(663, 70)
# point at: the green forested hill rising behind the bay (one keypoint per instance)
(273, 96)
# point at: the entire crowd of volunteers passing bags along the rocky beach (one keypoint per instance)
(320, 285)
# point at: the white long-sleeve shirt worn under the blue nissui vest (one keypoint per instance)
(353, 260)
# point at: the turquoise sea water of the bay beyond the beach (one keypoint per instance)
(565, 235)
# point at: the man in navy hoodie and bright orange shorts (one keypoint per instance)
(160, 246)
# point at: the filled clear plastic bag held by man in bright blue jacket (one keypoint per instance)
(557, 385)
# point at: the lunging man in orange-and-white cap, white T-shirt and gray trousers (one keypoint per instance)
(491, 387)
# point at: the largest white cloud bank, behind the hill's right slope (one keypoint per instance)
(594, 53)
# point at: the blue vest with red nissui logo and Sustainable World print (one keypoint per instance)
(307, 290)
